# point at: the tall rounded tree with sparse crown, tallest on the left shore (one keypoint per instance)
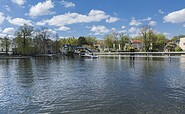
(23, 39)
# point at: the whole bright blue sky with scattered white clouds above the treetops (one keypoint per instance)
(94, 17)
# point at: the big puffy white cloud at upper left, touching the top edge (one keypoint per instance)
(42, 8)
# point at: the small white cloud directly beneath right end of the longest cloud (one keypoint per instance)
(99, 30)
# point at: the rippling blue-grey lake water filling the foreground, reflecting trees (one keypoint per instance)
(111, 84)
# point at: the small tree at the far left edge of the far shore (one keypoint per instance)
(5, 43)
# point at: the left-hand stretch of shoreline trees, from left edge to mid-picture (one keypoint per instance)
(28, 41)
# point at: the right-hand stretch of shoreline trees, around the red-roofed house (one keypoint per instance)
(150, 41)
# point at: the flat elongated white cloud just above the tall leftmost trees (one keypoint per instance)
(19, 21)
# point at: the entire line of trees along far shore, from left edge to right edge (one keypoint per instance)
(28, 41)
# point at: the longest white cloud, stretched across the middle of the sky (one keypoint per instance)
(72, 18)
